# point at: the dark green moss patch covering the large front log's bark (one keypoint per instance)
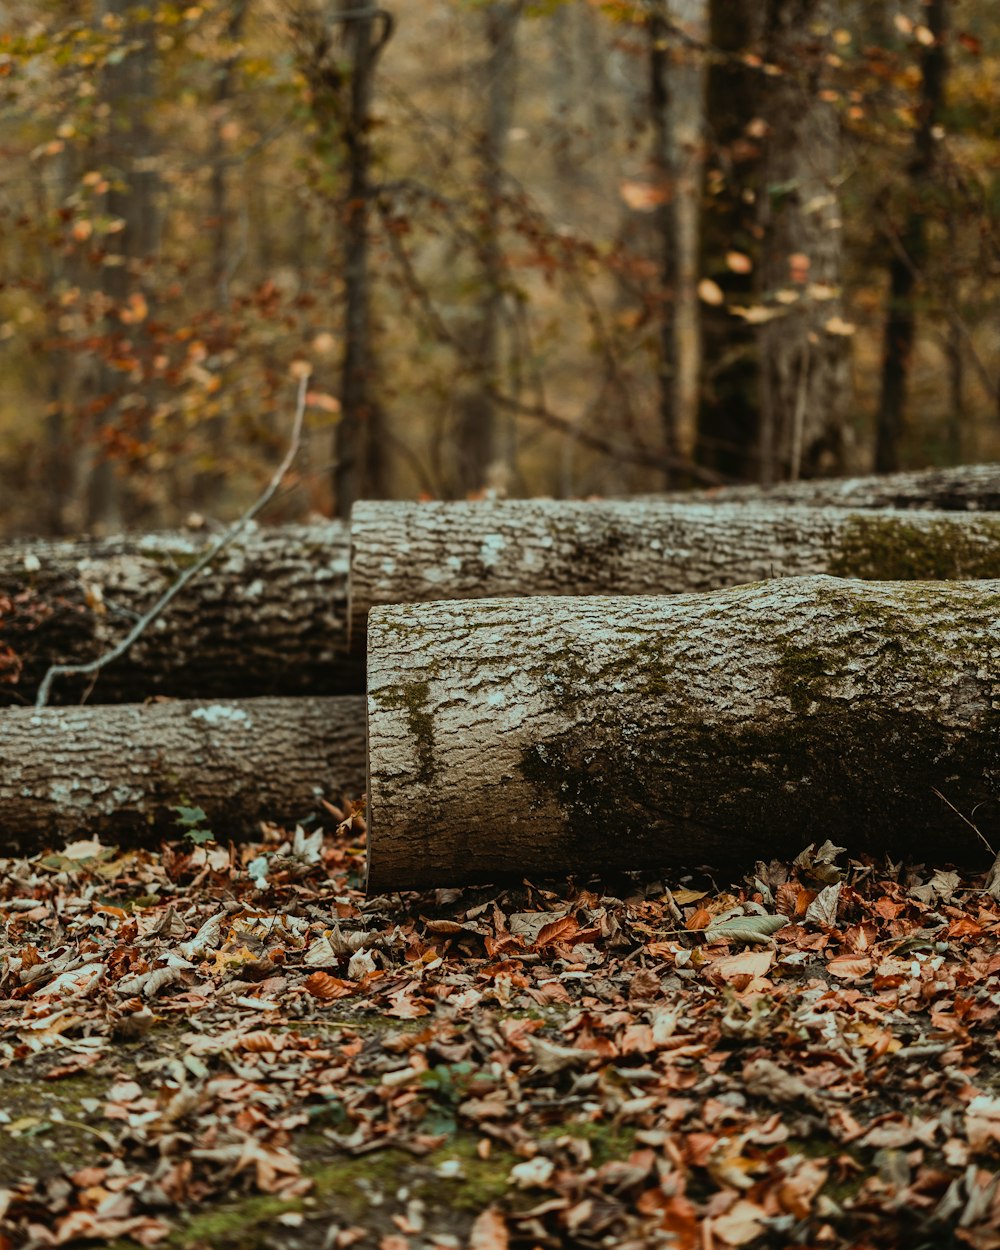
(862, 776)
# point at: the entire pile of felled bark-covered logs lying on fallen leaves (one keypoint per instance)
(614, 729)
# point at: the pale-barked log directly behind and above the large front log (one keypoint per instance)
(416, 553)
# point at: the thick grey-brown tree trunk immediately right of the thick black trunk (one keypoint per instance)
(804, 362)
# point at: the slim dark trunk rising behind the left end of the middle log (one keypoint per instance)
(359, 441)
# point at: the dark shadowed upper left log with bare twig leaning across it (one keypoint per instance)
(268, 618)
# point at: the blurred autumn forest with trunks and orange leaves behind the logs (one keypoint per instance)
(561, 248)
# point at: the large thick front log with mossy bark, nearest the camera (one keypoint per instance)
(543, 737)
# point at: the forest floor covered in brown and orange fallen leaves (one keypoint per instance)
(233, 1048)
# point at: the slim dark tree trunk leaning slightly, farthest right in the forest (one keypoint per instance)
(909, 248)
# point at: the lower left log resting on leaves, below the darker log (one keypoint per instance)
(119, 772)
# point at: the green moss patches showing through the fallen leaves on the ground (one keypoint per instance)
(52, 1131)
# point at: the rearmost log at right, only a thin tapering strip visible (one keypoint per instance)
(967, 488)
